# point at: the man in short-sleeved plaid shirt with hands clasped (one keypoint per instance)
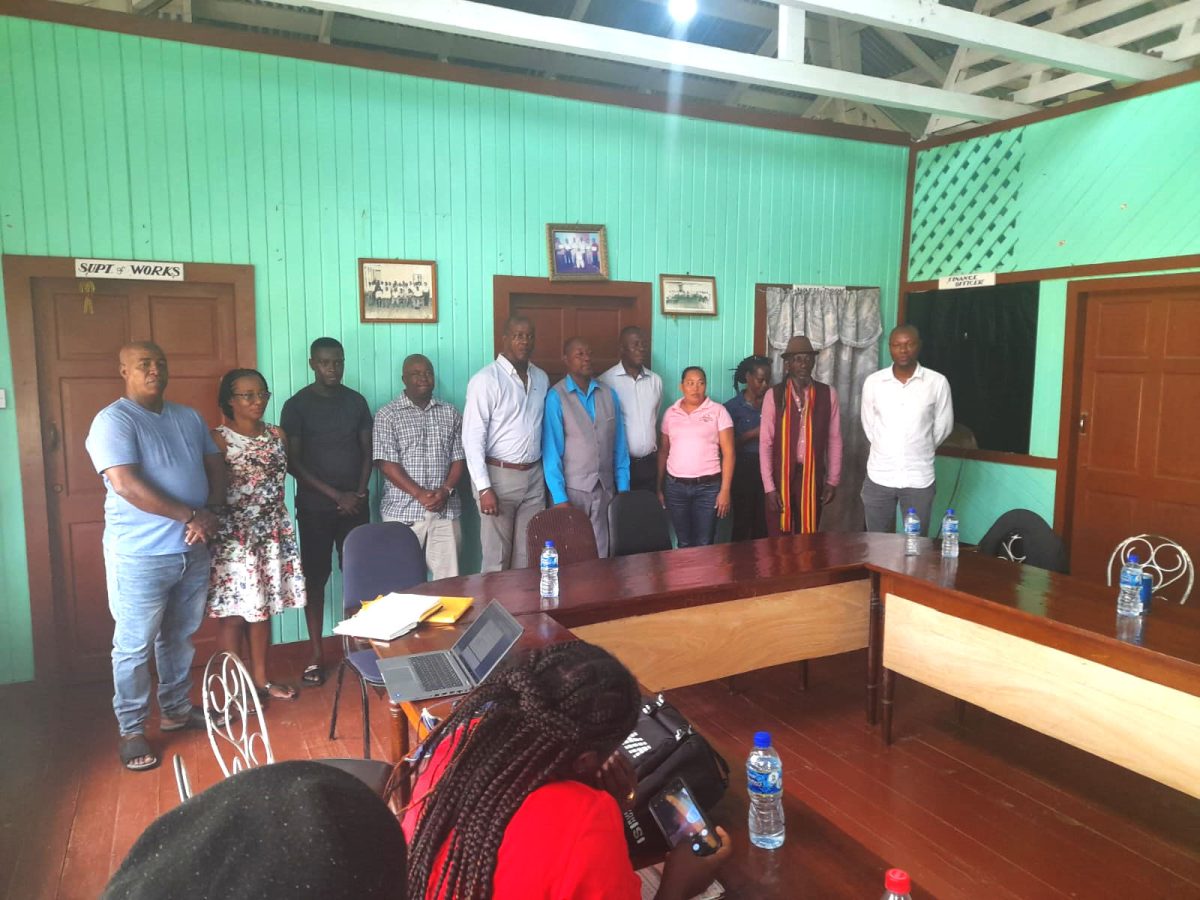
(418, 448)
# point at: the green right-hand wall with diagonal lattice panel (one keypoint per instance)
(1119, 183)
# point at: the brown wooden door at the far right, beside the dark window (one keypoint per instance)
(1137, 467)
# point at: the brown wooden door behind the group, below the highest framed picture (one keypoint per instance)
(597, 313)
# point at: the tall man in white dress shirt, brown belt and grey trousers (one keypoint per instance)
(502, 440)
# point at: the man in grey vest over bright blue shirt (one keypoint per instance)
(584, 451)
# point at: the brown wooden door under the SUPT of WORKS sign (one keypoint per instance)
(77, 369)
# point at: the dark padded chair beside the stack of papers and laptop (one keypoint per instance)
(379, 559)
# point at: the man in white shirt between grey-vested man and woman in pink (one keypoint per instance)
(640, 393)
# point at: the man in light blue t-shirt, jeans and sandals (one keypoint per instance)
(164, 477)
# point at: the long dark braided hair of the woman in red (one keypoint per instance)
(523, 729)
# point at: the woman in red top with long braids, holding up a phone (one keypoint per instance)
(524, 807)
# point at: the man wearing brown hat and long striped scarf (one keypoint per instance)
(800, 445)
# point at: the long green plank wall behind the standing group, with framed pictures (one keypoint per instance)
(122, 147)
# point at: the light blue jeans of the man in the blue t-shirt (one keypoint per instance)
(158, 603)
